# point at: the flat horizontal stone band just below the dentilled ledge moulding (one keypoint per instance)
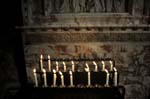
(86, 37)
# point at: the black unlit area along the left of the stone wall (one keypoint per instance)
(10, 46)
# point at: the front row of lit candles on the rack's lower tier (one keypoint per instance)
(87, 69)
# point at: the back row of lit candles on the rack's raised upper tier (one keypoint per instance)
(73, 65)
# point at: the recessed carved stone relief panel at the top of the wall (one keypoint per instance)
(78, 6)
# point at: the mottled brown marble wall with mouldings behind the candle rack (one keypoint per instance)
(124, 37)
